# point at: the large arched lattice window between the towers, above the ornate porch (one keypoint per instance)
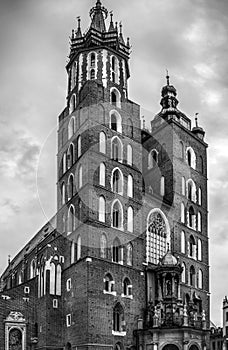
(156, 237)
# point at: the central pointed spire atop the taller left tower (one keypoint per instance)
(98, 15)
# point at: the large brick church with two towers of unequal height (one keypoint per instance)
(124, 263)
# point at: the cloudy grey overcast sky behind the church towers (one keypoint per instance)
(189, 37)
